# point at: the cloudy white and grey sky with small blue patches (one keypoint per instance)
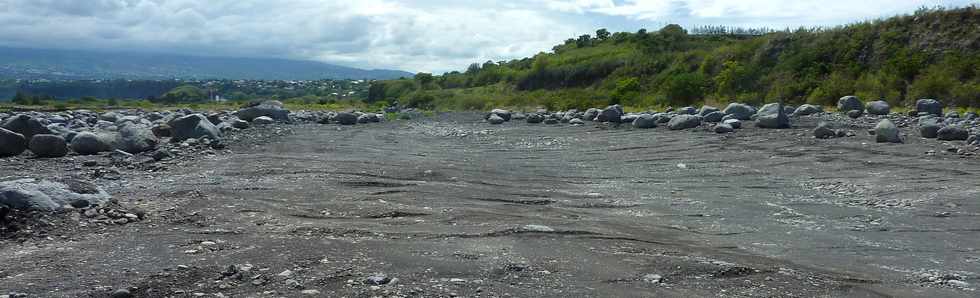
(424, 35)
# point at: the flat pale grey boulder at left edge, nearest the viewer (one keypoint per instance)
(31, 194)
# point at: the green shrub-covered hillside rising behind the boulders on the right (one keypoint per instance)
(933, 53)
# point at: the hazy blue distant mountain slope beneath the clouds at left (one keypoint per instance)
(20, 63)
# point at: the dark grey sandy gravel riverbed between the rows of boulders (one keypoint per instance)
(459, 207)
